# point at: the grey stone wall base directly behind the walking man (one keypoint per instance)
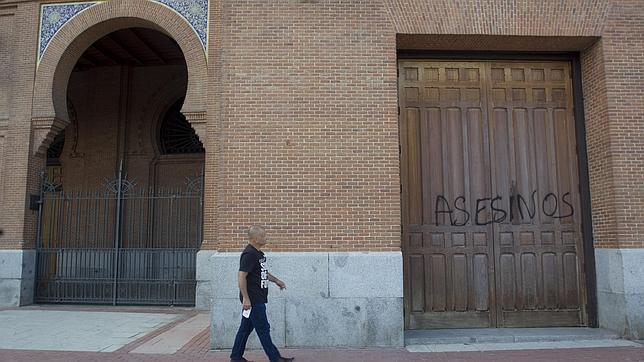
(332, 299)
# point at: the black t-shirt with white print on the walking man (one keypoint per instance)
(253, 262)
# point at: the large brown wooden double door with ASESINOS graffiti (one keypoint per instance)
(490, 195)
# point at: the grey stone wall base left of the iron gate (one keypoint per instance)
(17, 271)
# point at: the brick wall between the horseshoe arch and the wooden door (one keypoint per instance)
(309, 135)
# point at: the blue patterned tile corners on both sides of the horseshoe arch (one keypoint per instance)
(55, 16)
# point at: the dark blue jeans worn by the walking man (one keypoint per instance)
(258, 321)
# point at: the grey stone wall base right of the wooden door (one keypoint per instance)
(620, 291)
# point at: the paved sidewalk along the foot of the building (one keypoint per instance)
(116, 338)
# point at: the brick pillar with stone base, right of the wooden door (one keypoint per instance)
(615, 134)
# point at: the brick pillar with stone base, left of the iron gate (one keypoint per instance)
(17, 256)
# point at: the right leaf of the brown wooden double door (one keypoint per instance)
(533, 167)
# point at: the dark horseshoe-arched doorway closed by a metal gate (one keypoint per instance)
(120, 218)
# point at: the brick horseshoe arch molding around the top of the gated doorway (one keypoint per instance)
(50, 114)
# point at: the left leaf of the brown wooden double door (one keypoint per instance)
(444, 163)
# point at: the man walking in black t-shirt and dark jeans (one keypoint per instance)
(253, 278)
